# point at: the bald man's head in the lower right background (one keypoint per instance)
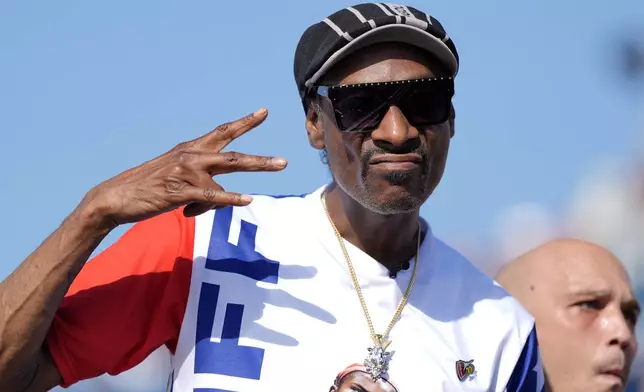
(585, 313)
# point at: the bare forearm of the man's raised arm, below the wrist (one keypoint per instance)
(30, 296)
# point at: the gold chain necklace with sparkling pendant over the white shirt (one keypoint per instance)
(377, 361)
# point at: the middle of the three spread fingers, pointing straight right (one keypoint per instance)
(230, 162)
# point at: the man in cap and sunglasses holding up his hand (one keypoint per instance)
(248, 293)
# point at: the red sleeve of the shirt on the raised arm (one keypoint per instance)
(126, 302)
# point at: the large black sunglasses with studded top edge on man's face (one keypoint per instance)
(361, 107)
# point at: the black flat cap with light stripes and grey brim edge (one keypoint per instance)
(342, 33)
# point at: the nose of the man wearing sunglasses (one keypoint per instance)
(395, 132)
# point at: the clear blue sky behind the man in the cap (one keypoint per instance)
(89, 89)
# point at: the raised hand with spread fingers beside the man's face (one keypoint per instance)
(182, 176)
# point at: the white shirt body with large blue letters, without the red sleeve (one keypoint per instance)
(272, 308)
